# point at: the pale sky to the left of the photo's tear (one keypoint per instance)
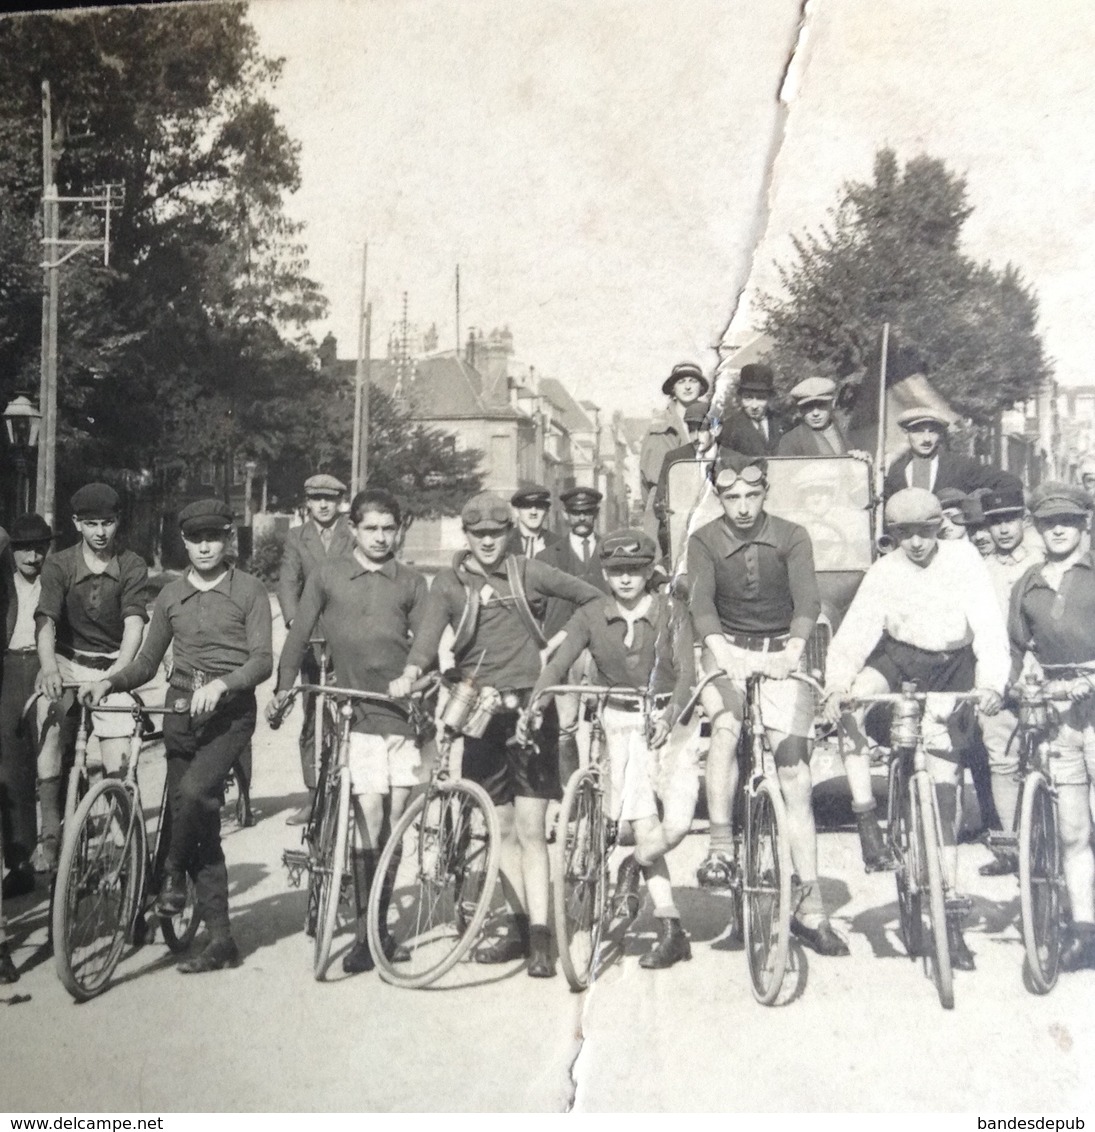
(595, 169)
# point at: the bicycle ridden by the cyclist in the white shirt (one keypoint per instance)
(917, 837)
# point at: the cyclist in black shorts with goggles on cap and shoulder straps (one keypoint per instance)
(487, 603)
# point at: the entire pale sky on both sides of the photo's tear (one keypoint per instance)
(603, 170)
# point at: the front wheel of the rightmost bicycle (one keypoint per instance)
(1040, 884)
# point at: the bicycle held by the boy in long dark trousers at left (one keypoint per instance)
(110, 873)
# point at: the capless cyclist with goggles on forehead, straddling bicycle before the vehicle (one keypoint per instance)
(755, 604)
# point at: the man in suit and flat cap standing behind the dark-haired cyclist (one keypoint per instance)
(324, 535)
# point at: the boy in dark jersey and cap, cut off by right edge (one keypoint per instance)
(1054, 616)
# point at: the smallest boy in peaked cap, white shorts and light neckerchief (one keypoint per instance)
(638, 640)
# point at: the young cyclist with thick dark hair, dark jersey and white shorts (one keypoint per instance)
(371, 606)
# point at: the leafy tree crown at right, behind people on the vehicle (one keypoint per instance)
(893, 253)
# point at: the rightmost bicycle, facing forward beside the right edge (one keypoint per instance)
(1037, 843)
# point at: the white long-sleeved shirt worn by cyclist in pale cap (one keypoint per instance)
(949, 604)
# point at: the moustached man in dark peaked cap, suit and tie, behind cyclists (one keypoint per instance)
(579, 555)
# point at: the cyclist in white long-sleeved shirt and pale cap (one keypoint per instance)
(926, 614)
